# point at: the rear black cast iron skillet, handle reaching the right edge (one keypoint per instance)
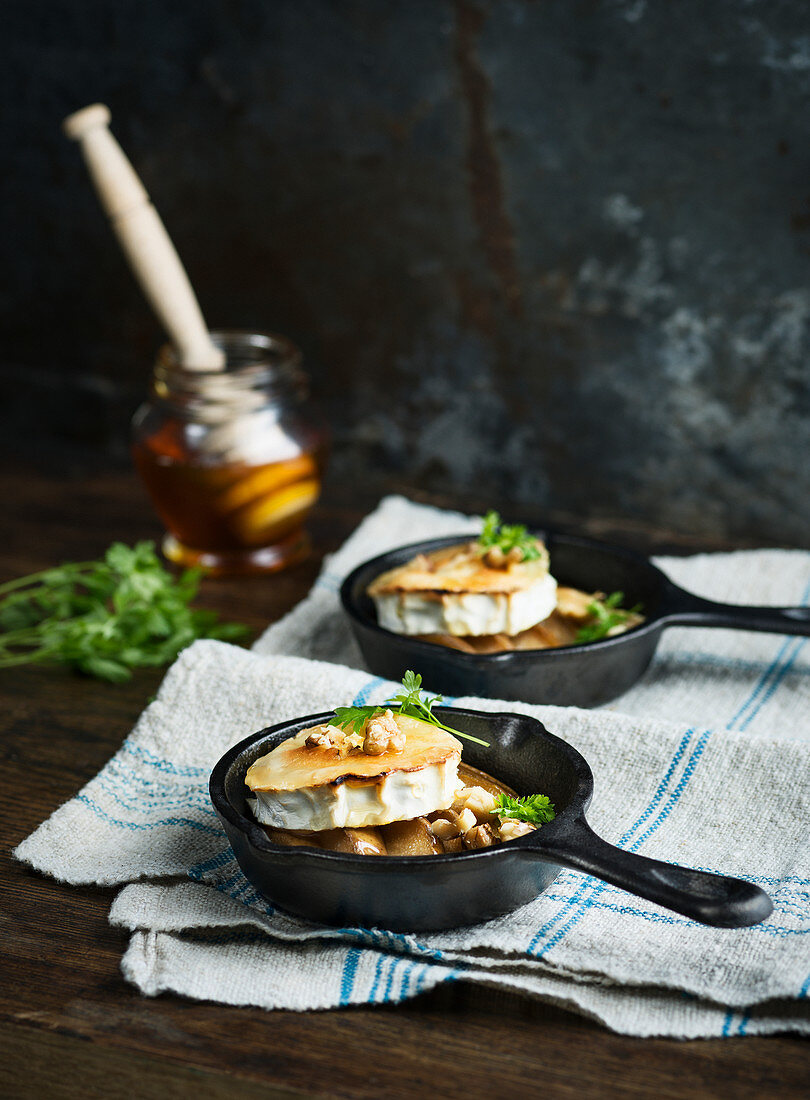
(572, 676)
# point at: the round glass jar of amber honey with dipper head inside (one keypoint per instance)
(233, 458)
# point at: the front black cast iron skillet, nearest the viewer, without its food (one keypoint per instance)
(423, 893)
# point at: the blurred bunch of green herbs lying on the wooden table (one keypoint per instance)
(105, 618)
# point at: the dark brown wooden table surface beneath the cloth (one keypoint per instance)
(71, 1027)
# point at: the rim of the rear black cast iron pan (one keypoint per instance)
(518, 656)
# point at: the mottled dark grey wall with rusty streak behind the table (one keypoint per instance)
(550, 254)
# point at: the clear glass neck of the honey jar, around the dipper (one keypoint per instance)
(259, 368)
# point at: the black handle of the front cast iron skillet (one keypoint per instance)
(718, 900)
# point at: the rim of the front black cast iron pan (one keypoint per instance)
(259, 839)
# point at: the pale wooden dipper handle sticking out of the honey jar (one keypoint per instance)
(144, 238)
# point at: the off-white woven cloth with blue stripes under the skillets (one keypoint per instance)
(736, 724)
